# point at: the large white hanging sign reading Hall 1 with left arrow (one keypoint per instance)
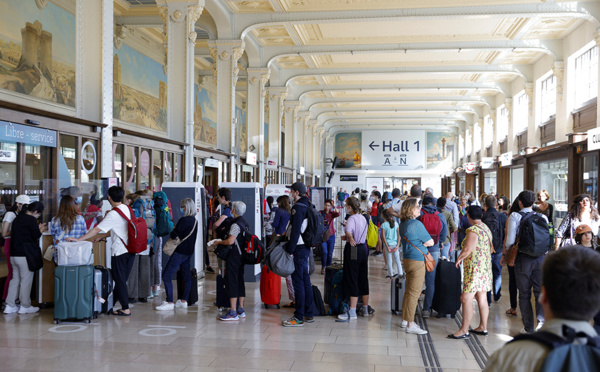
(399, 150)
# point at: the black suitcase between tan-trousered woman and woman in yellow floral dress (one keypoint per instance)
(446, 298)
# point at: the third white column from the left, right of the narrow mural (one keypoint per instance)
(226, 53)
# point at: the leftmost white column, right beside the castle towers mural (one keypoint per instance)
(94, 95)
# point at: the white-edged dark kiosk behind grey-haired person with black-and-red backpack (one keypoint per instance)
(252, 194)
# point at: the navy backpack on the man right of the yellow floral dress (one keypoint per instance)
(534, 234)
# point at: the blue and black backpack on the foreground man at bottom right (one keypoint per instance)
(564, 355)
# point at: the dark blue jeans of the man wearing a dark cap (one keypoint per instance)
(302, 285)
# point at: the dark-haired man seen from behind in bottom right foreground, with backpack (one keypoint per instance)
(570, 296)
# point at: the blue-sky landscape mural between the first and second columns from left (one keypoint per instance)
(139, 89)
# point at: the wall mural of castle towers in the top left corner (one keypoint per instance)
(37, 51)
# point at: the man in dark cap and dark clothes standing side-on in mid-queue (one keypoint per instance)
(296, 247)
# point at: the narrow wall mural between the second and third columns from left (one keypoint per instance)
(205, 116)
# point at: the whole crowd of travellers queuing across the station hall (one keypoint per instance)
(415, 231)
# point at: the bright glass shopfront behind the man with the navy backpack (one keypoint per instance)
(552, 176)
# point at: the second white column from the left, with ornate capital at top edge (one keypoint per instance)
(180, 18)
